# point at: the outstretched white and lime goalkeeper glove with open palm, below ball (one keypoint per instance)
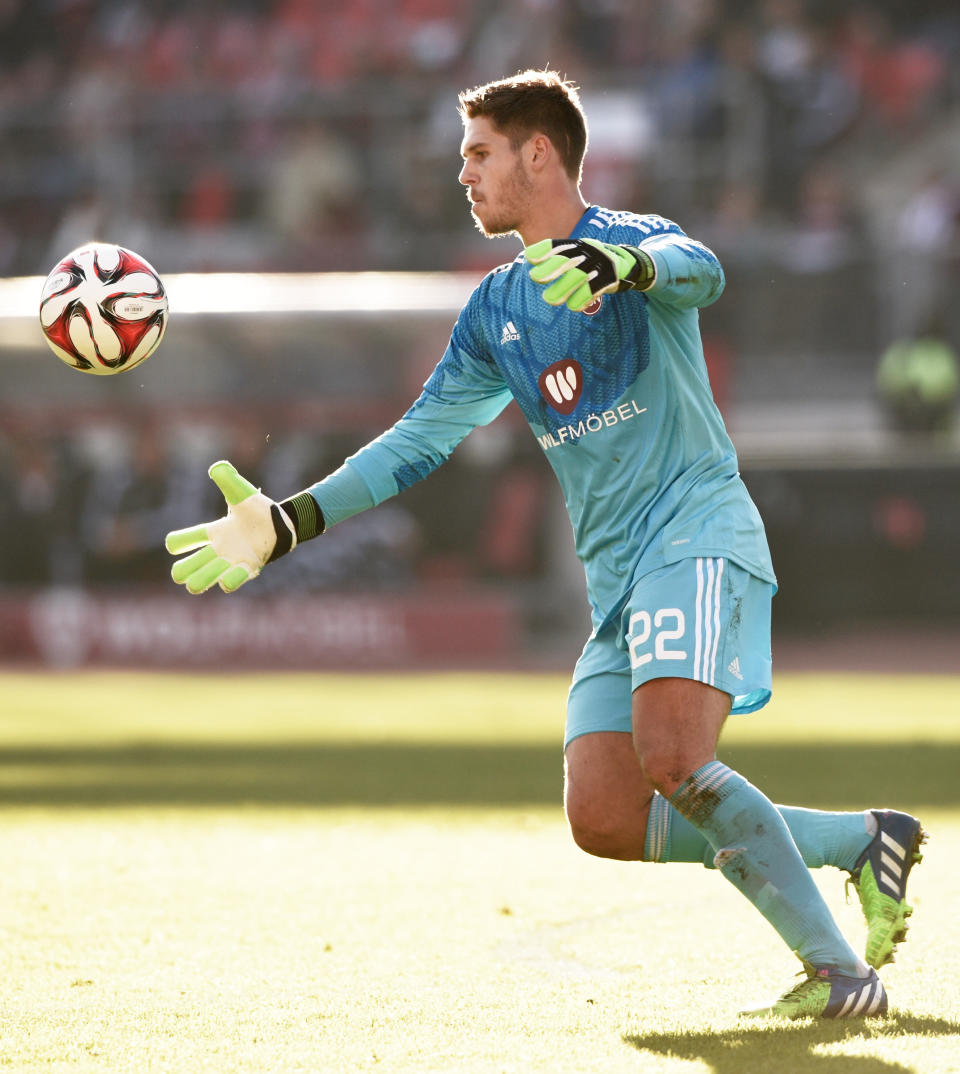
(255, 532)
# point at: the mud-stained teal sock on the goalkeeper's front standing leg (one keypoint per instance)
(755, 852)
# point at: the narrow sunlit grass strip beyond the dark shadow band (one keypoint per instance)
(101, 707)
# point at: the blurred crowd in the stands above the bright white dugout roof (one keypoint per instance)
(300, 135)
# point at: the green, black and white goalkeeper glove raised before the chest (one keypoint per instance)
(580, 270)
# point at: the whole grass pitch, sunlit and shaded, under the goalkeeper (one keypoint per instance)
(338, 874)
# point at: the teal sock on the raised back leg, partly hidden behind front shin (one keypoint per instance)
(822, 838)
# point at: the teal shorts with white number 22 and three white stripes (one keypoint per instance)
(705, 619)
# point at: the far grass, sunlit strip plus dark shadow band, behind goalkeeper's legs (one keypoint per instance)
(432, 741)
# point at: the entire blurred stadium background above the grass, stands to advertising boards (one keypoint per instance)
(814, 147)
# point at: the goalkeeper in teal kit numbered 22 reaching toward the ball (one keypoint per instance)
(594, 331)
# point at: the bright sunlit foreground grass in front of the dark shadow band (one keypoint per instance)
(430, 942)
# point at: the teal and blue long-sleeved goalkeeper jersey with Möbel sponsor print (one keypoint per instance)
(619, 400)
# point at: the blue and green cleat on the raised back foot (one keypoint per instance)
(880, 878)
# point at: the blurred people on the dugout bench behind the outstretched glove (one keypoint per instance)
(88, 506)
